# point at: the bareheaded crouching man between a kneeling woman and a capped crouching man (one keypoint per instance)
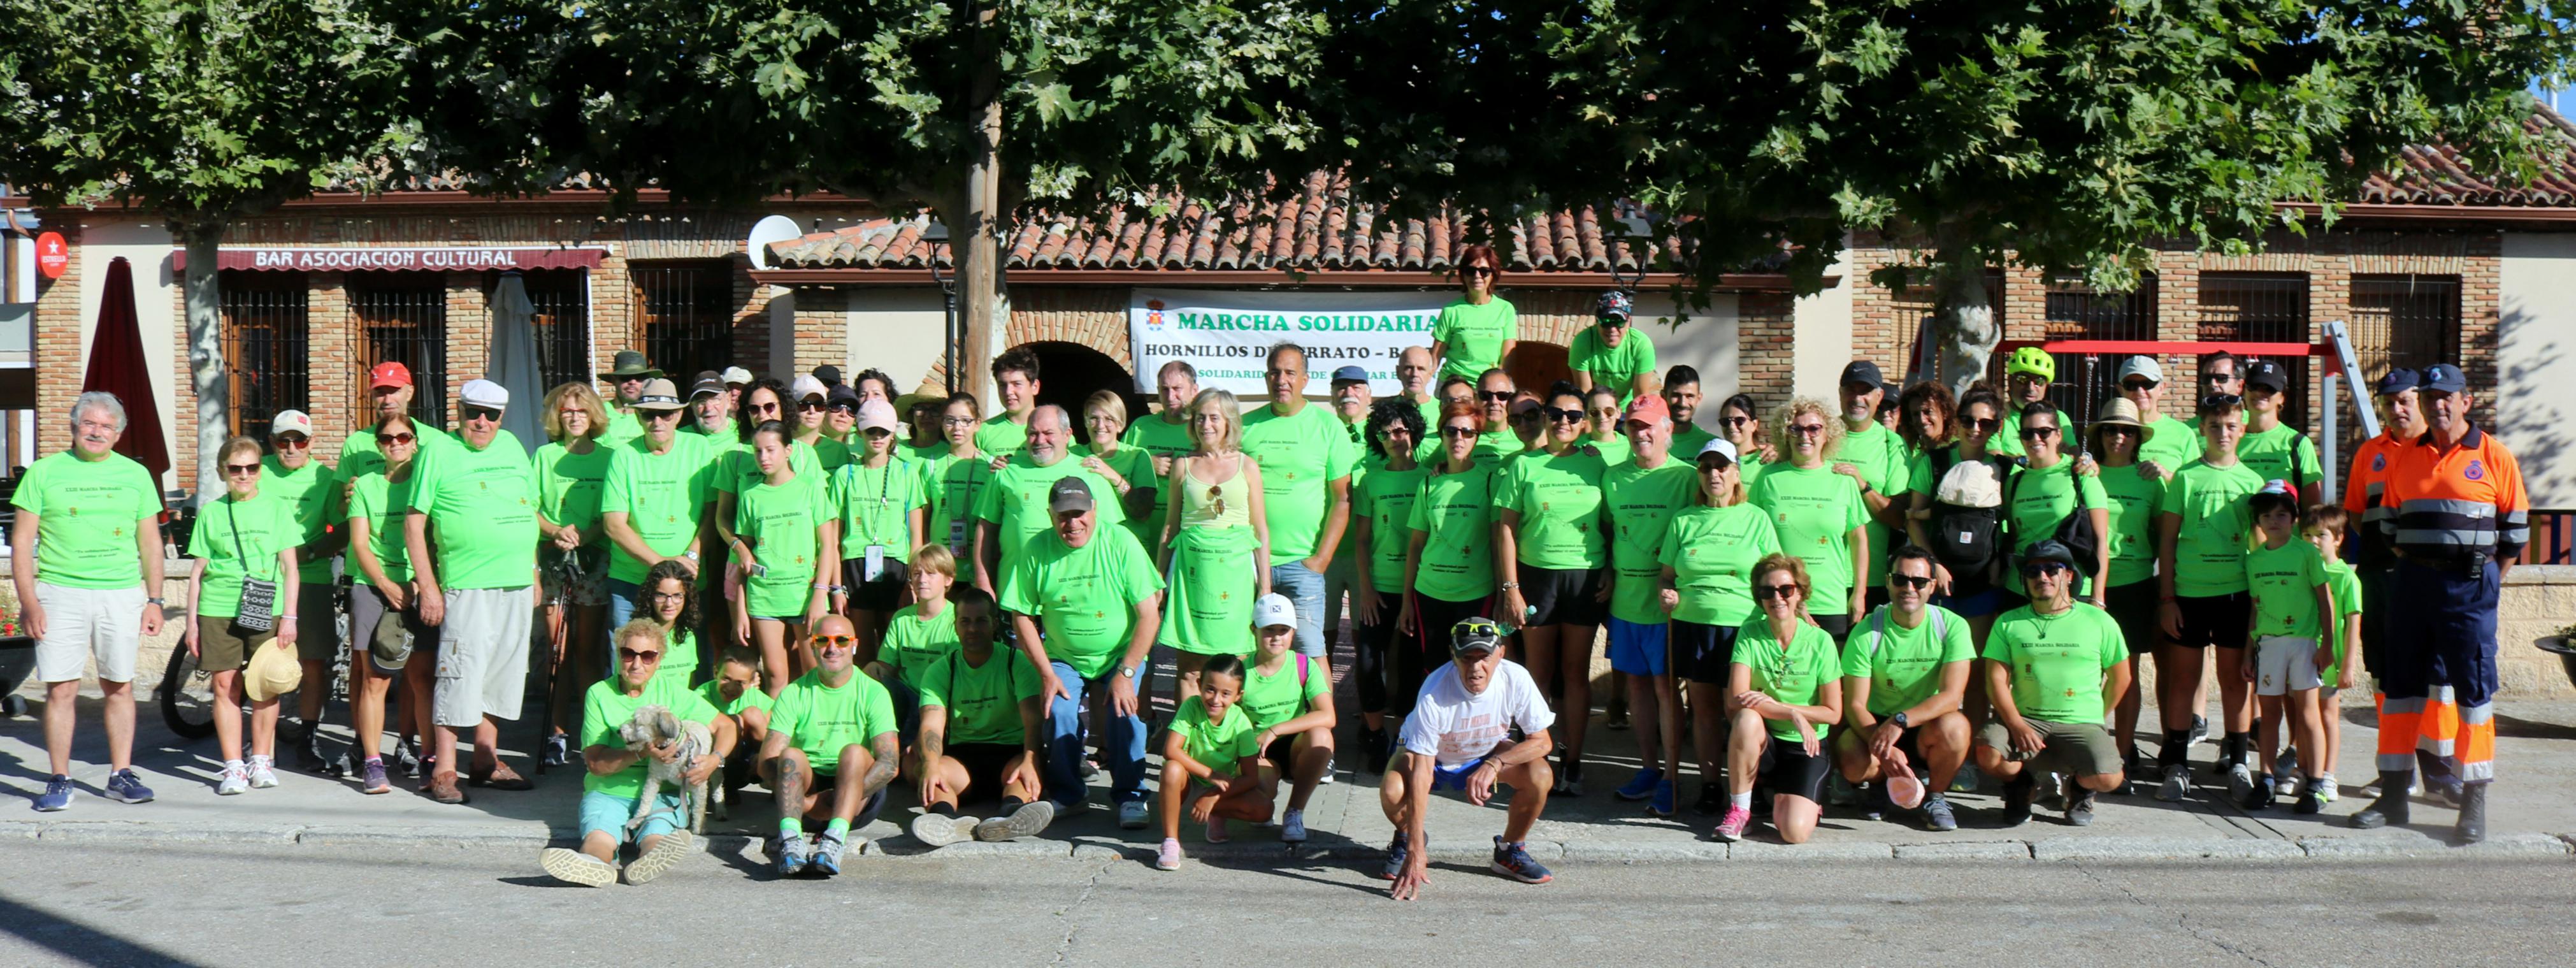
(1902, 681)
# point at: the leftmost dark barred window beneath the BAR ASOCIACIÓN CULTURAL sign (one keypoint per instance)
(267, 346)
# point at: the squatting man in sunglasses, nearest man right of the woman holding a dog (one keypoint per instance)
(831, 753)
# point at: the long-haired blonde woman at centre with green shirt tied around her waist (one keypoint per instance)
(1217, 542)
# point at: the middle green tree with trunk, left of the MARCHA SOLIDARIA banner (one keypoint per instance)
(970, 109)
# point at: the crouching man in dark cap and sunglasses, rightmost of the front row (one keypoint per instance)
(2052, 668)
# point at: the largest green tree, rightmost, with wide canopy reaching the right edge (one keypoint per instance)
(2060, 135)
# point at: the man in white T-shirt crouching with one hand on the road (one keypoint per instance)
(1459, 738)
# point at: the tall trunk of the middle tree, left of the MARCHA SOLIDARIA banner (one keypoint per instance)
(978, 236)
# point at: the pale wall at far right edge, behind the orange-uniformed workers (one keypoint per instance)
(2536, 359)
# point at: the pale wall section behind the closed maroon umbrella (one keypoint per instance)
(156, 313)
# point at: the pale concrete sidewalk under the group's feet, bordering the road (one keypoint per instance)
(2531, 810)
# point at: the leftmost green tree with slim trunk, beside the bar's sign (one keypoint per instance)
(202, 112)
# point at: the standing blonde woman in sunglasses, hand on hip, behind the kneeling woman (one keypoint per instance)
(1820, 516)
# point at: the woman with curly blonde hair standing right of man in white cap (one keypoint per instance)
(571, 475)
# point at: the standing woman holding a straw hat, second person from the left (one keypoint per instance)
(243, 539)
